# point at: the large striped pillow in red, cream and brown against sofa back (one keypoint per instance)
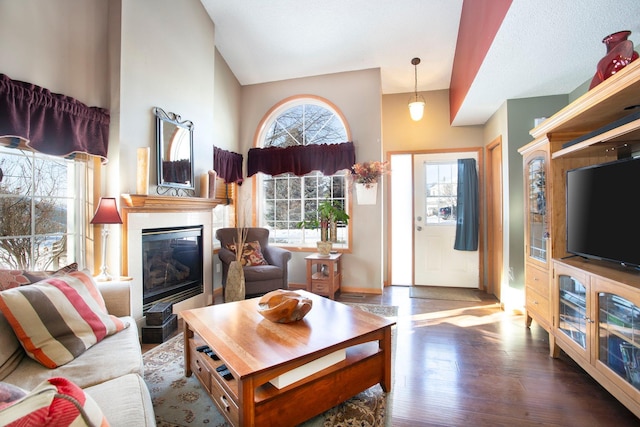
(58, 318)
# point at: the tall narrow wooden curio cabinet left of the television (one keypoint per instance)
(536, 232)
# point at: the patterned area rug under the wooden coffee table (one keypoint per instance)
(180, 401)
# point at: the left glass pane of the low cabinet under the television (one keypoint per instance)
(572, 319)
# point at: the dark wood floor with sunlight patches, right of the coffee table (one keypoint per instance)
(470, 364)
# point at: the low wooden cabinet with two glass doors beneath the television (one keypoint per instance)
(597, 312)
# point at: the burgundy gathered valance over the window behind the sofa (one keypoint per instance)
(51, 123)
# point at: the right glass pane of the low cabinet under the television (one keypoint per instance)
(619, 336)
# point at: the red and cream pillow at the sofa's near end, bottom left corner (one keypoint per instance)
(54, 402)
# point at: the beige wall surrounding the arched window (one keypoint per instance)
(357, 95)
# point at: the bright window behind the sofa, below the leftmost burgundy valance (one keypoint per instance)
(38, 196)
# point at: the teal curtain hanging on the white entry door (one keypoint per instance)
(467, 220)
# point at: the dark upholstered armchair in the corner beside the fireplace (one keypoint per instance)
(259, 279)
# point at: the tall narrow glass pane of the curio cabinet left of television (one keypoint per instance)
(537, 208)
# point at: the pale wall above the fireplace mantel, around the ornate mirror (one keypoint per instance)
(167, 60)
